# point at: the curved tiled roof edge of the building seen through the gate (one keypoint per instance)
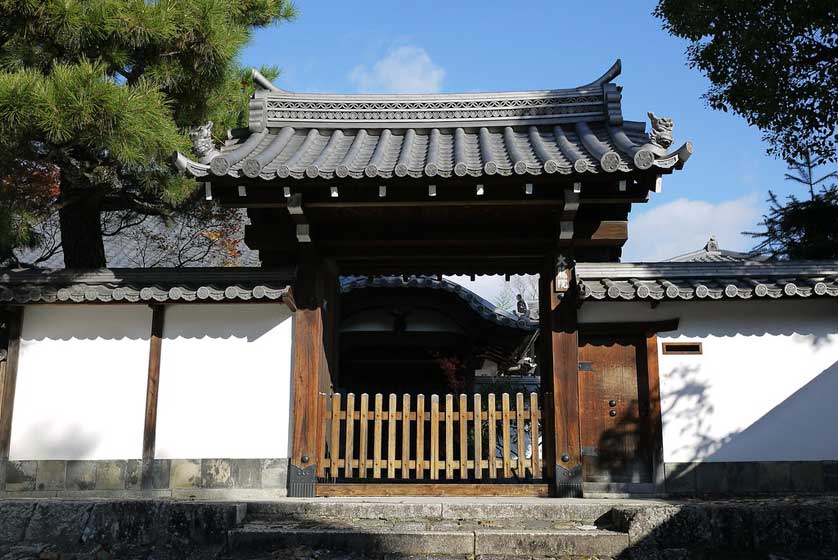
(483, 307)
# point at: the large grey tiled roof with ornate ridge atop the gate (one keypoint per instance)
(569, 131)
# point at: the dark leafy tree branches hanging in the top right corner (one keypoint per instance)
(774, 62)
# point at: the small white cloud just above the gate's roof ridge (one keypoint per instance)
(405, 69)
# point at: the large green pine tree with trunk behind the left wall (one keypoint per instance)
(102, 92)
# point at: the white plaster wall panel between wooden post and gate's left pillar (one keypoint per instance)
(225, 381)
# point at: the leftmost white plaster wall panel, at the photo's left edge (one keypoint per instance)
(81, 382)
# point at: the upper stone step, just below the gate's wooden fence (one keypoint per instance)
(583, 511)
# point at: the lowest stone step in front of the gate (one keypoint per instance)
(396, 541)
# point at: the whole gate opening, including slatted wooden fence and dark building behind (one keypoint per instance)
(436, 386)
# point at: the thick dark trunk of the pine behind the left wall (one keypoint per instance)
(81, 233)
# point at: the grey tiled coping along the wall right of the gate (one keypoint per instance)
(707, 280)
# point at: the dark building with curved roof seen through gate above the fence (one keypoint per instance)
(423, 335)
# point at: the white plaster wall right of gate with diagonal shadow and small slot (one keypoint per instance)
(765, 387)
